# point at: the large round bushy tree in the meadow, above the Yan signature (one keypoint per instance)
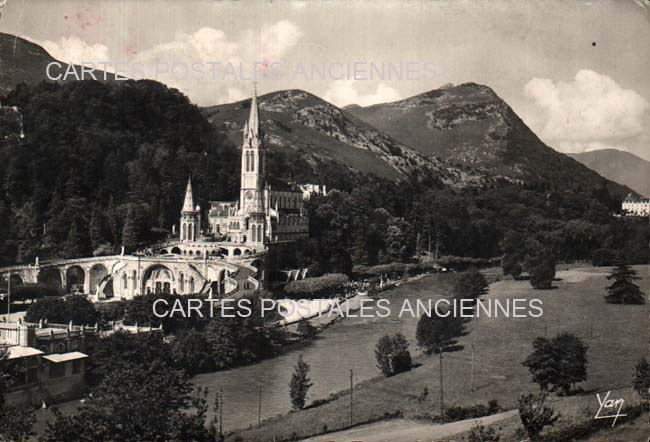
(558, 363)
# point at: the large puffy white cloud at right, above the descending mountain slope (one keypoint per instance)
(592, 108)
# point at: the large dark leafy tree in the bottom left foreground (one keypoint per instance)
(136, 402)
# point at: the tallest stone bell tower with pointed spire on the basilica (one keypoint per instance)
(253, 176)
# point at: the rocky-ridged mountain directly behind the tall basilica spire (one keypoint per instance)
(298, 123)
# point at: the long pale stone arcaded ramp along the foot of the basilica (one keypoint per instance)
(126, 276)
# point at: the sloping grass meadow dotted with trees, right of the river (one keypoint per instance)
(617, 337)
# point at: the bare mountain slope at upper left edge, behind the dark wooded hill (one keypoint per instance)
(24, 61)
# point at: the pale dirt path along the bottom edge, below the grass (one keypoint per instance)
(402, 430)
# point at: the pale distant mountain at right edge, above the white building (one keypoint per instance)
(617, 165)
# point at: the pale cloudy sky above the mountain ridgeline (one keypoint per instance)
(576, 72)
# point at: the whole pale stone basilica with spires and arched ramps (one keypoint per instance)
(224, 256)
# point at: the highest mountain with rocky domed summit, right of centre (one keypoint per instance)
(471, 125)
